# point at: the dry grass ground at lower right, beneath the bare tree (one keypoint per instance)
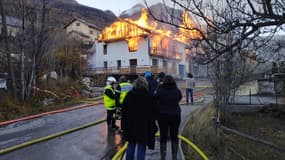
(200, 129)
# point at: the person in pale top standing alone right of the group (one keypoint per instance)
(189, 85)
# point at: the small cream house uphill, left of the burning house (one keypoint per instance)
(82, 30)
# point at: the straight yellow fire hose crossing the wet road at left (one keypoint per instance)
(52, 136)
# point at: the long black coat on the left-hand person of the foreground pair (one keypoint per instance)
(139, 114)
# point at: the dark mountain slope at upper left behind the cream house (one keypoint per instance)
(60, 12)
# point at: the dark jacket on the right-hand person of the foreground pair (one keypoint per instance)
(168, 98)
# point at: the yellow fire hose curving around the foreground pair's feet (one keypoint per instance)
(119, 154)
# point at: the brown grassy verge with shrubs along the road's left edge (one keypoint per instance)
(10, 108)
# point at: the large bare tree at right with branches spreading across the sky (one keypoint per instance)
(228, 30)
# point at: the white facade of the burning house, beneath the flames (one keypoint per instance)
(116, 58)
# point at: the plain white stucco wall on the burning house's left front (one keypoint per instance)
(119, 51)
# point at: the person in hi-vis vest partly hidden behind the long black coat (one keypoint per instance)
(121, 91)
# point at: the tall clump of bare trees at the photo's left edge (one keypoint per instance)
(30, 44)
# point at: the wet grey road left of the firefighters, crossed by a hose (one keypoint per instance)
(93, 143)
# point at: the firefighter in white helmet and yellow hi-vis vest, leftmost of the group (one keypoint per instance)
(109, 102)
